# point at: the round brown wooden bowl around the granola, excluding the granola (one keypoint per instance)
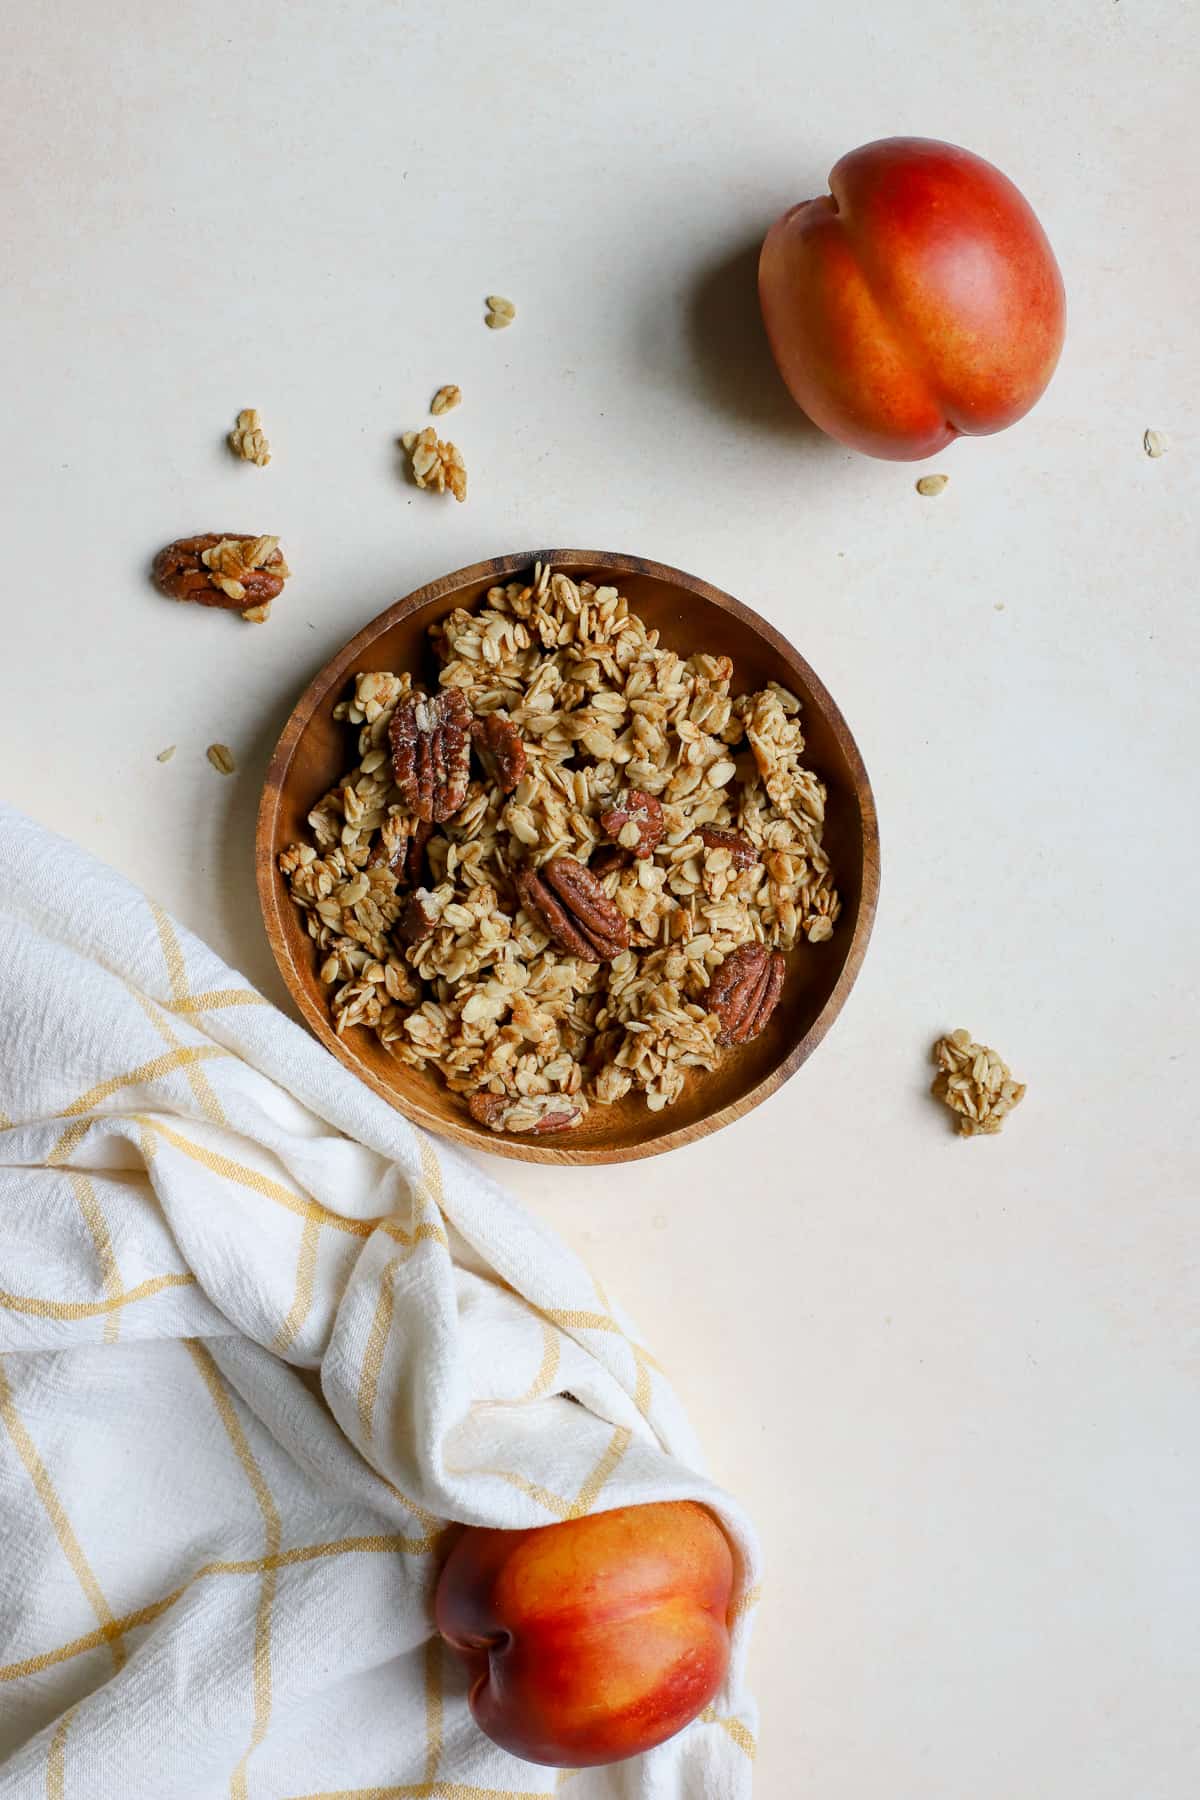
(690, 615)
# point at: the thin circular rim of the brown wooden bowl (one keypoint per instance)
(276, 903)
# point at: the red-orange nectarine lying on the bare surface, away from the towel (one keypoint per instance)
(915, 303)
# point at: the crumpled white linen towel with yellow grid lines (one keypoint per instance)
(260, 1340)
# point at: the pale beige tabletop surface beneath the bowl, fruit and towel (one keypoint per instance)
(954, 1383)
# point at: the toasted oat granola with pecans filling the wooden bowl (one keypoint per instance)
(577, 868)
